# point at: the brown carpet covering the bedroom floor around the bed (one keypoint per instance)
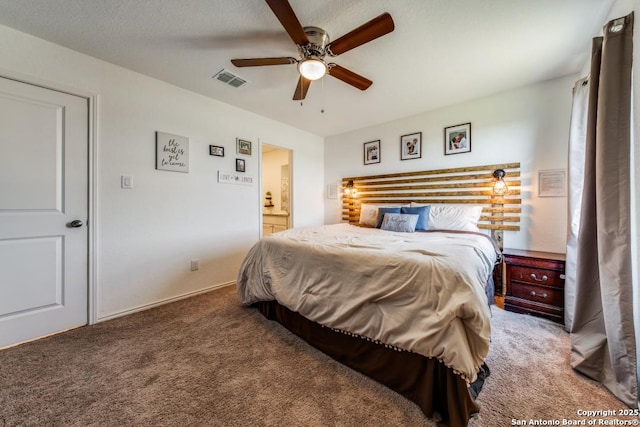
(206, 361)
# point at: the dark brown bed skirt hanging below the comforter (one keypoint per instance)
(436, 389)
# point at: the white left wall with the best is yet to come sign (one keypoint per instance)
(147, 236)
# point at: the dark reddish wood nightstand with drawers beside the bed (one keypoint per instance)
(535, 283)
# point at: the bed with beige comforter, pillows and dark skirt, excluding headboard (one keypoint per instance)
(407, 308)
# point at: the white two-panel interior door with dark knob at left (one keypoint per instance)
(43, 189)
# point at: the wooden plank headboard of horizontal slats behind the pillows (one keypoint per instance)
(472, 185)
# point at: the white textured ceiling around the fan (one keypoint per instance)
(441, 52)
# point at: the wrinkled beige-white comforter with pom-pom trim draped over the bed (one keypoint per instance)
(420, 292)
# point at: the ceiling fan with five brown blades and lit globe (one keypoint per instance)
(313, 45)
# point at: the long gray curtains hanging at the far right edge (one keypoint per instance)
(599, 309)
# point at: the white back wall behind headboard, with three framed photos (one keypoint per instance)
(529, 125)
